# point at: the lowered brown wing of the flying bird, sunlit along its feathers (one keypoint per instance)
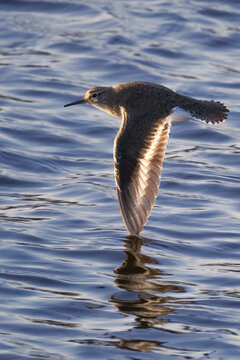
(138, 160)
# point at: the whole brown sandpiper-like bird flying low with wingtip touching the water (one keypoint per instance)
(147, 111)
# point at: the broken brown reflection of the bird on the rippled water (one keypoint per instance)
(144, 295)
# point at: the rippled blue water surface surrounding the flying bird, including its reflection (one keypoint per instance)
(73, 285)
